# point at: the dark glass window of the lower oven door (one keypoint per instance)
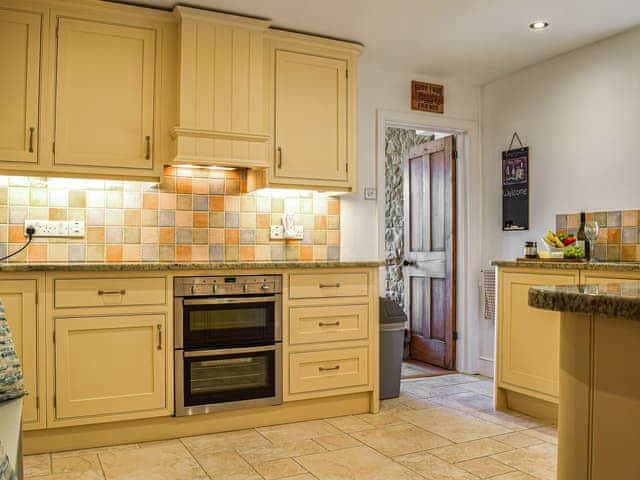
(229, 378)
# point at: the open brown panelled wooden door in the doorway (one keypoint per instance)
(430, 250)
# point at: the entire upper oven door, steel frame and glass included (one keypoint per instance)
(210, 322)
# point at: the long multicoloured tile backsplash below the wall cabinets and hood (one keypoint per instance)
(193, 215)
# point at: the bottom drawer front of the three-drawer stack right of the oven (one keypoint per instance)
(328, 369)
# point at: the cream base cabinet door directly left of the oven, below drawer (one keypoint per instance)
(109, 365)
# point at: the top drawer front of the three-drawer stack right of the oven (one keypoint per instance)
(327, 285)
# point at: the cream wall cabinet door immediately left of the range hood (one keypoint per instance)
(104, 95)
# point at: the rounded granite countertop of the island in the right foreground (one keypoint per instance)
(621, 300)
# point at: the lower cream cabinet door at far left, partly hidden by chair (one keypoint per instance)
(19, 298)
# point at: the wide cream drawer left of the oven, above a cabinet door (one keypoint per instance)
(108, 292)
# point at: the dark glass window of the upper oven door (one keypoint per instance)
(229, 325)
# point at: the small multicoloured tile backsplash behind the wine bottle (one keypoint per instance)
(619, 237)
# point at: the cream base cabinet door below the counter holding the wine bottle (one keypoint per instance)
(529, 337)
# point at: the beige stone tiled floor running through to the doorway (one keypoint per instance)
(441, 428)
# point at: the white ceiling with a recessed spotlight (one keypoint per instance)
(472, 40)
